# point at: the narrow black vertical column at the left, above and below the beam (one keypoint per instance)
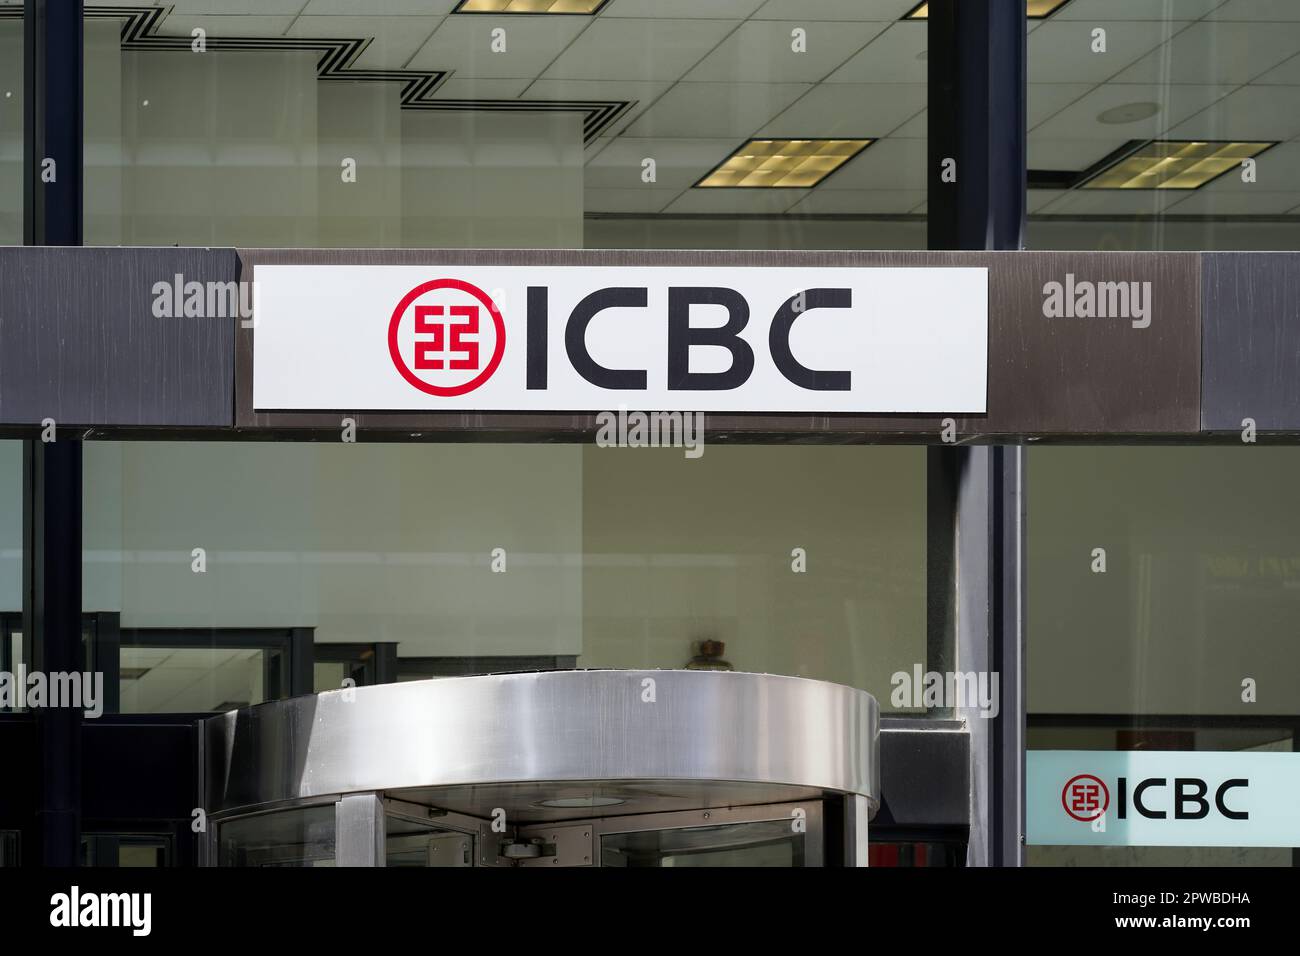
(53, 512)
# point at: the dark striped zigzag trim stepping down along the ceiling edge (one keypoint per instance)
(140, 32)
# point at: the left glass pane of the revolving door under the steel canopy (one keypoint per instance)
(302, 837)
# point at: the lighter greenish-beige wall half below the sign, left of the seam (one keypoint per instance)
(365, 543)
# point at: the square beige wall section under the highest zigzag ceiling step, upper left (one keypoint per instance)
(220, 149)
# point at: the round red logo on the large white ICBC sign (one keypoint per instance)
(447, 338)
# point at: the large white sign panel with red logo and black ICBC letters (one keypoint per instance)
(595, 339)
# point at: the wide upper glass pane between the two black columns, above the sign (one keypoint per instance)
(733, 124)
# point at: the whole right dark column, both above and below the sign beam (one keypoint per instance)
(977, 201)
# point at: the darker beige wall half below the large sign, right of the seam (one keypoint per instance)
(682, 550)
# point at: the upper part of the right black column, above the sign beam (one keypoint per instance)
(977, 124)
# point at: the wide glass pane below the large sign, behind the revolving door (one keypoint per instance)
(532, 556)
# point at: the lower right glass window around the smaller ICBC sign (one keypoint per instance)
(1164, 605)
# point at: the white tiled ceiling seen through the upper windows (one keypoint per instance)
(686, 84)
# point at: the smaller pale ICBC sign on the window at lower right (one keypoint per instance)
(1163, 799)
